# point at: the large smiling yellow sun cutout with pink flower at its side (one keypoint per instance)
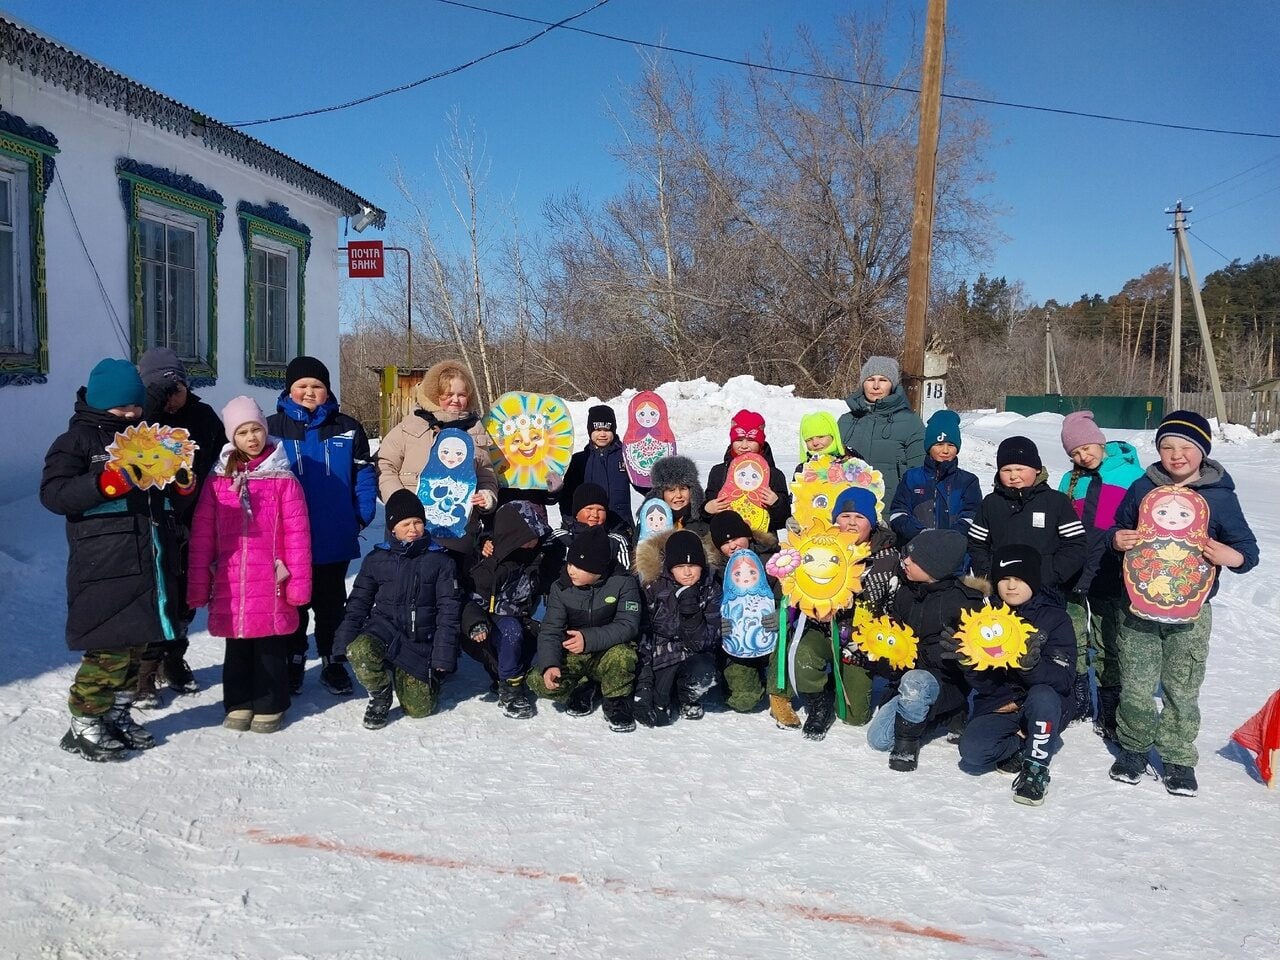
(822, 573)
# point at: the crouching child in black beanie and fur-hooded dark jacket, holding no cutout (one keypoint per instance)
(682, 630)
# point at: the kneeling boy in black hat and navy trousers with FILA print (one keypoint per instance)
(1020, 712)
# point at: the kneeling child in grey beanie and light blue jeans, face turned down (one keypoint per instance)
(930, 600)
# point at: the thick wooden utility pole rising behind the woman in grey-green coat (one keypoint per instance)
(922, 213)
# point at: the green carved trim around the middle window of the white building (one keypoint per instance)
(191, 199)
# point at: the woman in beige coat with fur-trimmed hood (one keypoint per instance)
(446, 397)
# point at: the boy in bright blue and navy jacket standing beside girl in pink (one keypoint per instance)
(330, 454)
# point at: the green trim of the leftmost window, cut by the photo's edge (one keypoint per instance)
(17, 369)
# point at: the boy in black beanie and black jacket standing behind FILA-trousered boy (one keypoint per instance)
(1023, 509)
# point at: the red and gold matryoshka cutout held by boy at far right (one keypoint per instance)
(1167, 574)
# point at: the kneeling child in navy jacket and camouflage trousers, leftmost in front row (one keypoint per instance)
(401, 627)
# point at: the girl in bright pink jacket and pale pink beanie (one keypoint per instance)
(252, 563)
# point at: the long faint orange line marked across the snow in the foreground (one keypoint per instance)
(615, 885)
